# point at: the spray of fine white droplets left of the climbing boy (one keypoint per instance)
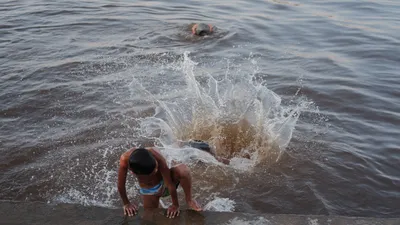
(91, 183)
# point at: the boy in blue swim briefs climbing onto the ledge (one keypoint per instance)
(155, 180)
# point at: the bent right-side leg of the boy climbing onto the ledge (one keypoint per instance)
(181, 173)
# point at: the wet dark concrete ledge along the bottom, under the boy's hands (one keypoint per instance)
(68, 214)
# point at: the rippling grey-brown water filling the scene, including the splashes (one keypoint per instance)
(302, 96)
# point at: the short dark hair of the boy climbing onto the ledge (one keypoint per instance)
(142, 162)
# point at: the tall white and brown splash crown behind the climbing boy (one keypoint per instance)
(235, 113)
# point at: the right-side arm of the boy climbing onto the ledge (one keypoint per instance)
(166, 174)
